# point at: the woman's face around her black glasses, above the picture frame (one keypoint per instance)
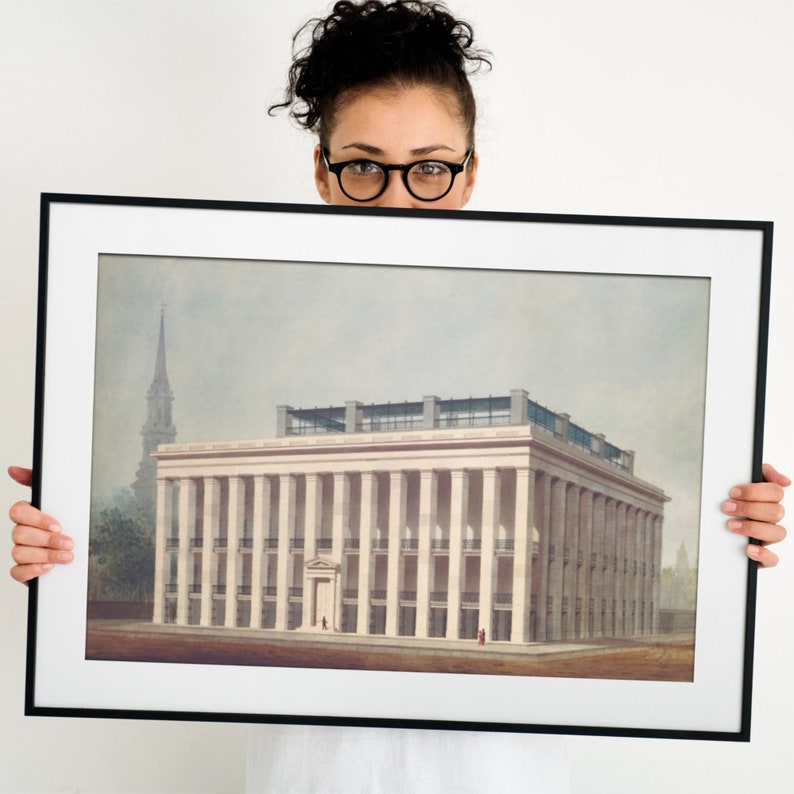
(397, 126)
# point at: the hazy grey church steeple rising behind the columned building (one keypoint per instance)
(159, 427)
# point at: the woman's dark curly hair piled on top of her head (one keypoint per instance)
(379, 44)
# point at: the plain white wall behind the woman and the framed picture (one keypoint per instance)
(651, 107)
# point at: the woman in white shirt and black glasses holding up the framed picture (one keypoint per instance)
(385, 87)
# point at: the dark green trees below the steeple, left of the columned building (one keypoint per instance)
(121, 550)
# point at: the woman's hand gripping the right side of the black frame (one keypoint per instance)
(756, 512)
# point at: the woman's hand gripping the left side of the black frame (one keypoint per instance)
(39, 544)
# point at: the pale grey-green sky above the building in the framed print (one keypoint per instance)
(623, 355)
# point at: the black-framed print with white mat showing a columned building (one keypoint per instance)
(391, 467)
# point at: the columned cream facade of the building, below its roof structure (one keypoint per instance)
(528, 553)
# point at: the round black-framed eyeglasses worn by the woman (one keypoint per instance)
(365, 180)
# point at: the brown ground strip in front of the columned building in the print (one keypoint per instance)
(659, 658)
